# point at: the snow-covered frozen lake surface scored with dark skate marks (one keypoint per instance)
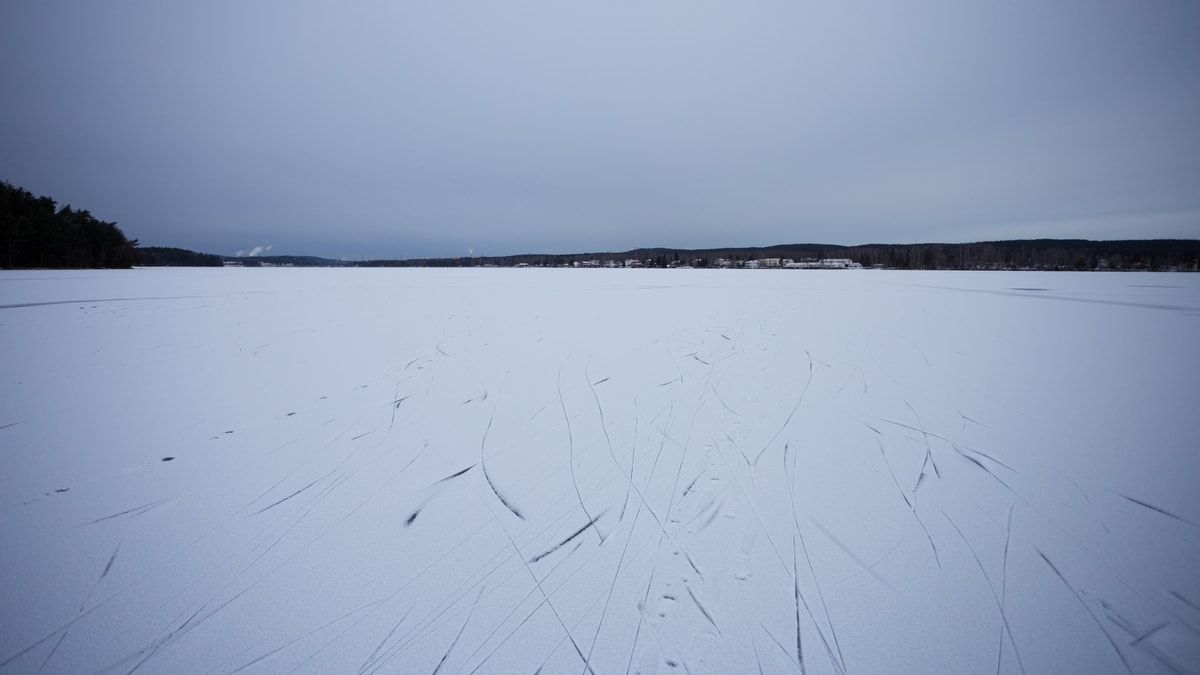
(509, 471)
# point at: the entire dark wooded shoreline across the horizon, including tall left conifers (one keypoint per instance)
(35, 234)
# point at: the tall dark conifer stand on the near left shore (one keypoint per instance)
(35, 234)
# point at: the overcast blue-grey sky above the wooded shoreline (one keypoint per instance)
(404, 129)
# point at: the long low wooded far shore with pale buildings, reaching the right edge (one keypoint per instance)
(1029, 254)
